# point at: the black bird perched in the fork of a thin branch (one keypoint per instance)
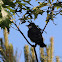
(35, 35)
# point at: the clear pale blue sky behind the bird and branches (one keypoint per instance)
(52, 30)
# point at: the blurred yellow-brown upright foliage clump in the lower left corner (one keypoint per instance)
(6, 50)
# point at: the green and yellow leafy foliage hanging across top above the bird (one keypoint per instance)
(30, 12)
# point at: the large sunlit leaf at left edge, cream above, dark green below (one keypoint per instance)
(5, 19)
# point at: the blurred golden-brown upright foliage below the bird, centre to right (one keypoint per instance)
(45, 56)
